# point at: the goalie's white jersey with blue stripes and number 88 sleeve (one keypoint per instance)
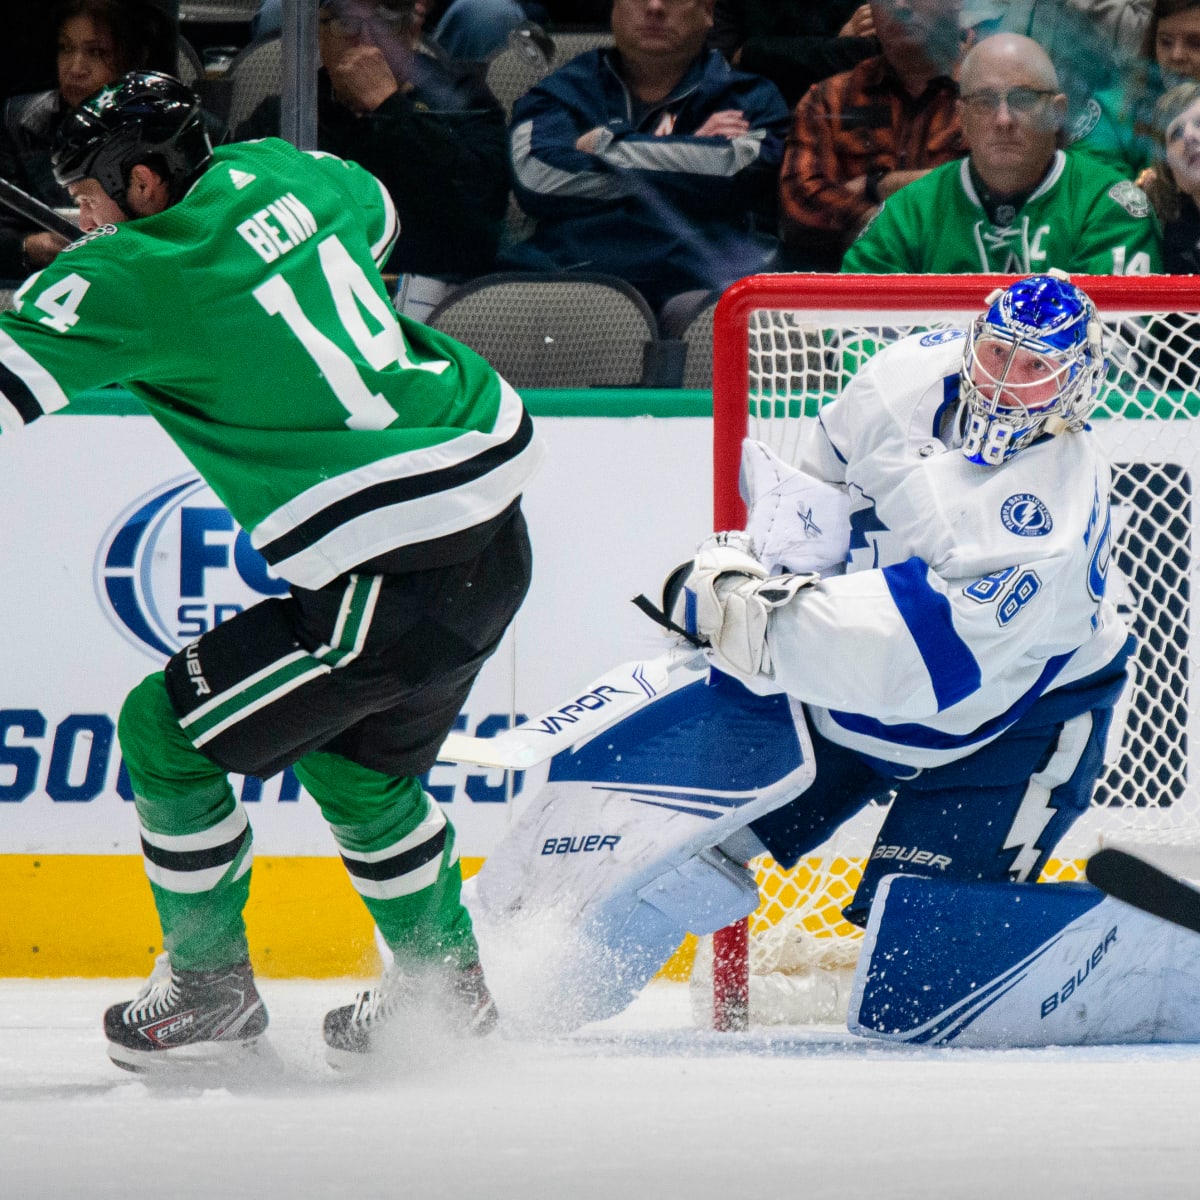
(969, 591)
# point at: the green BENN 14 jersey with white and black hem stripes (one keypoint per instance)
(251, 321)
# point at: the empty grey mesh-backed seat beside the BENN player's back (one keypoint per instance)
(557, 331)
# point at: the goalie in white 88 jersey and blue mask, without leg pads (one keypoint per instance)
(967, 658)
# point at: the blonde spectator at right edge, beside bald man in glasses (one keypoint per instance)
(1175, 185)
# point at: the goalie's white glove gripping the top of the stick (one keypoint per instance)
(724, 598)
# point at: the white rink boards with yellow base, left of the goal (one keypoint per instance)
(117, 555)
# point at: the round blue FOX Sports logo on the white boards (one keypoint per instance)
(175, 566)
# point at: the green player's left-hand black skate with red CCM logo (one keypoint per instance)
(187, 1018)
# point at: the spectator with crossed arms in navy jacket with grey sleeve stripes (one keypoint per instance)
(652, 160)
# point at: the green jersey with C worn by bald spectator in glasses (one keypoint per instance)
(1084, 218)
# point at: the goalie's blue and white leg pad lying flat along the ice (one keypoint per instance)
(1007, 965)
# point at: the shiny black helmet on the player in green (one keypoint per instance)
(145, 117)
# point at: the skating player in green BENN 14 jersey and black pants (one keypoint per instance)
(376, 465)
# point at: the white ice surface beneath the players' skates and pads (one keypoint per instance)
(641, 1106)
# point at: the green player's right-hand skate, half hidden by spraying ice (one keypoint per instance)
(446, 1000)
